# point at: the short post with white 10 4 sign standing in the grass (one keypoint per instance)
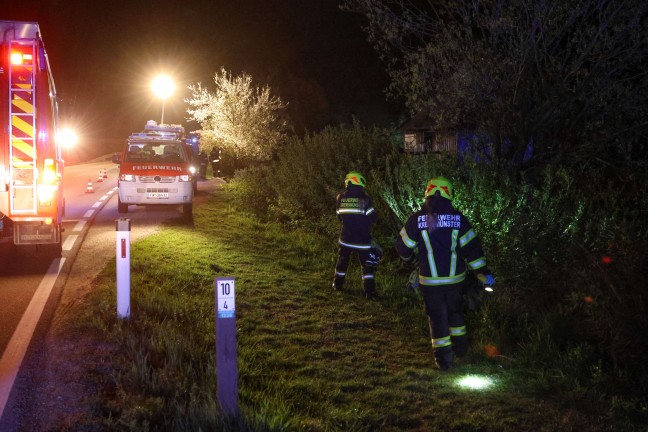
(226, 358)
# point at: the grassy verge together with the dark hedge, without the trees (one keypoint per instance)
(554, 338)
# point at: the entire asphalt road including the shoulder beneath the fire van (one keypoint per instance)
(88, 242)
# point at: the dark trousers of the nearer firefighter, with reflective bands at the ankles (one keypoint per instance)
(444, 308)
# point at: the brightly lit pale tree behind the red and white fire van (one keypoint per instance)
(237, 117)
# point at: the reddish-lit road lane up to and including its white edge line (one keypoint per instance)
(31, 277)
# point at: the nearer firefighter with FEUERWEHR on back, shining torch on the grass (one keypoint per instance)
(447, 246)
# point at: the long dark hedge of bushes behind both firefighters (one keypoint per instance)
(560, 305)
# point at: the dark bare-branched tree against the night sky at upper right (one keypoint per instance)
(567, 77)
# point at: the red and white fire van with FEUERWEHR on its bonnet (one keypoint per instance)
(155, 168)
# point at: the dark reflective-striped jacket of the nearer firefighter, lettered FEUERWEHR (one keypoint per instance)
(446, 243)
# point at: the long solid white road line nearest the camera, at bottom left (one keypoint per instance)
(17, 346)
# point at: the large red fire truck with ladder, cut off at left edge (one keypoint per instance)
(31, 162)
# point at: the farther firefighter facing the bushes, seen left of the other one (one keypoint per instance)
(356, 213)
